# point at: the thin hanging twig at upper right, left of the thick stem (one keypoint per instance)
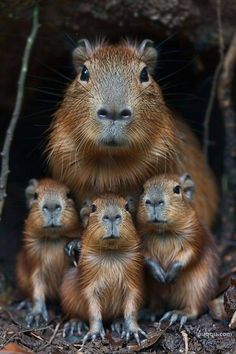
(214, 83)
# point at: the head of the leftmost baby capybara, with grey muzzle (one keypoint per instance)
(52, 207)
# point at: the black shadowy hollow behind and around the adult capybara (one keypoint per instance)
(188, 55)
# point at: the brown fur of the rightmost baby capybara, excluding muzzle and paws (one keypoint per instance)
(182, 239)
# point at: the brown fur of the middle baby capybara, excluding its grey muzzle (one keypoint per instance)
(107, 283)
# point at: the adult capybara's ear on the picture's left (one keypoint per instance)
(81, 53)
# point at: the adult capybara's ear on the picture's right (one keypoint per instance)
(148, 53)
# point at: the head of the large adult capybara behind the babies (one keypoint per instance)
(110, 103)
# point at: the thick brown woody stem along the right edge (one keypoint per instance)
(229, 115)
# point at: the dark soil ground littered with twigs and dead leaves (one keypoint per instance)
(203, 335)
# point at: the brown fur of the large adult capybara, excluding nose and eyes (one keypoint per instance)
(156, 142)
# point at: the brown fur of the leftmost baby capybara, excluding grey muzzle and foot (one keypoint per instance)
(42, 260)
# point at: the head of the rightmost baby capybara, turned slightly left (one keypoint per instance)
(166, 201)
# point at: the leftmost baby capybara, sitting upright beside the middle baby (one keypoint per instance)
(51, 223)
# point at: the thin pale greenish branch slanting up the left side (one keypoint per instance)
(17, 109)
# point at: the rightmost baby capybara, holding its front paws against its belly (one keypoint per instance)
(179, 251)
